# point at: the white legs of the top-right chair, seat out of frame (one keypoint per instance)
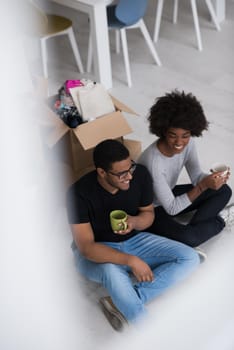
(195, 19)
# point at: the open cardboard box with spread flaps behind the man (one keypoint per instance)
(75, 146)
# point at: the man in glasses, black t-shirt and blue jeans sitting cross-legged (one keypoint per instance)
(113, 258)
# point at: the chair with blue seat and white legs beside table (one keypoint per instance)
(127, 14)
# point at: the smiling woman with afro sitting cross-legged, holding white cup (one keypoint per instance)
(176, 118)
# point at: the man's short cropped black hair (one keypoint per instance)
(108, 152)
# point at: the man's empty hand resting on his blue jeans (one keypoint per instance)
(140, 269)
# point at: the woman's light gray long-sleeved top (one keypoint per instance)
(165, 172)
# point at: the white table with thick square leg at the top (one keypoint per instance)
(96, 9)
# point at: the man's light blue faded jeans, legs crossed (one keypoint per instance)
(169, 260)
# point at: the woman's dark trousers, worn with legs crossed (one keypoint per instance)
(204, 224)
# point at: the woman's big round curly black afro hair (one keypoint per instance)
(177, 110)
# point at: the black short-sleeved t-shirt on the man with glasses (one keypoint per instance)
(88, 201)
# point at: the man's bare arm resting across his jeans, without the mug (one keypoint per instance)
(100, 253)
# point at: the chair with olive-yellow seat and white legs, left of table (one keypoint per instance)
(52, 26)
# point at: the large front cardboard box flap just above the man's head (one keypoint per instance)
(110, 126)
